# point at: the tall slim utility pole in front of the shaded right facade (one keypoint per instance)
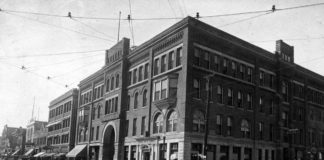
(207, 114)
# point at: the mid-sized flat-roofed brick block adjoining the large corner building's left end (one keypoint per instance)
(62, 122)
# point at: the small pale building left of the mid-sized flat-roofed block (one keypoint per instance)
(36, 133)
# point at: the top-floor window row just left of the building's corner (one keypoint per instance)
(167, 61)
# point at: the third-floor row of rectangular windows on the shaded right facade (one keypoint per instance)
(231, 97)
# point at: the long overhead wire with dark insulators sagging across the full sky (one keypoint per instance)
(167, 18)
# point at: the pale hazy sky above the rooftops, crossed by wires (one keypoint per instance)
(67, 50)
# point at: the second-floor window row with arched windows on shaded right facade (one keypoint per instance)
(226, 126)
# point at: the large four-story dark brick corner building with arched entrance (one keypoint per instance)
(150, 102)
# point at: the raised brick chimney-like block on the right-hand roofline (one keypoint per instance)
(284, 51)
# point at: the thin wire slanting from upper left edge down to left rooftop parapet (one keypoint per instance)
(60, 27)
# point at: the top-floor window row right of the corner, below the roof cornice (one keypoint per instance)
(218, 62)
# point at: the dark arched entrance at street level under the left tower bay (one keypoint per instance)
(108, 150)
